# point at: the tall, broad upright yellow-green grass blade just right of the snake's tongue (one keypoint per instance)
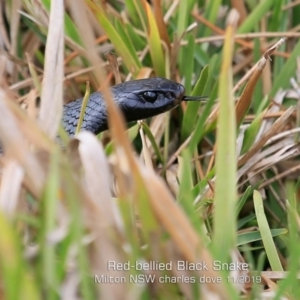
(225, 189)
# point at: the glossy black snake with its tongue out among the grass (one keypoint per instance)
(137, 99)
